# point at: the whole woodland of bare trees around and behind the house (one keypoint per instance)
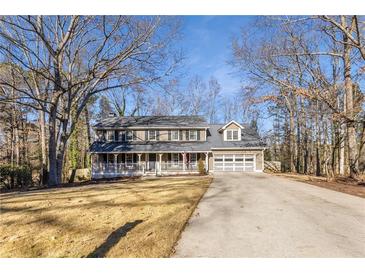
(58, 74)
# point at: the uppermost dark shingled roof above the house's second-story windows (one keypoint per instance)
(152, 122)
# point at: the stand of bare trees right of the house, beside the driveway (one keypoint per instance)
(309, 71)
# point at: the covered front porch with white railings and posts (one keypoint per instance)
(108, 165)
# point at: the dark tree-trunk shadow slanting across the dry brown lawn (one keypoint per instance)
(113, 239)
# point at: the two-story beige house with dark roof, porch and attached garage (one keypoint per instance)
(127, 146)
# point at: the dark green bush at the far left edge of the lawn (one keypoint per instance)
(12, 177)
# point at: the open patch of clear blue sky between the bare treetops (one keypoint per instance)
(207, 46)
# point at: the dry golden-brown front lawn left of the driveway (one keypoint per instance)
(142, 218)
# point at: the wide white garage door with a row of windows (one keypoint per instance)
(234, 162)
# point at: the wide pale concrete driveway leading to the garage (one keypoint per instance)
(262, 215)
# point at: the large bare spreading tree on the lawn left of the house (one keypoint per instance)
(72, 58)
